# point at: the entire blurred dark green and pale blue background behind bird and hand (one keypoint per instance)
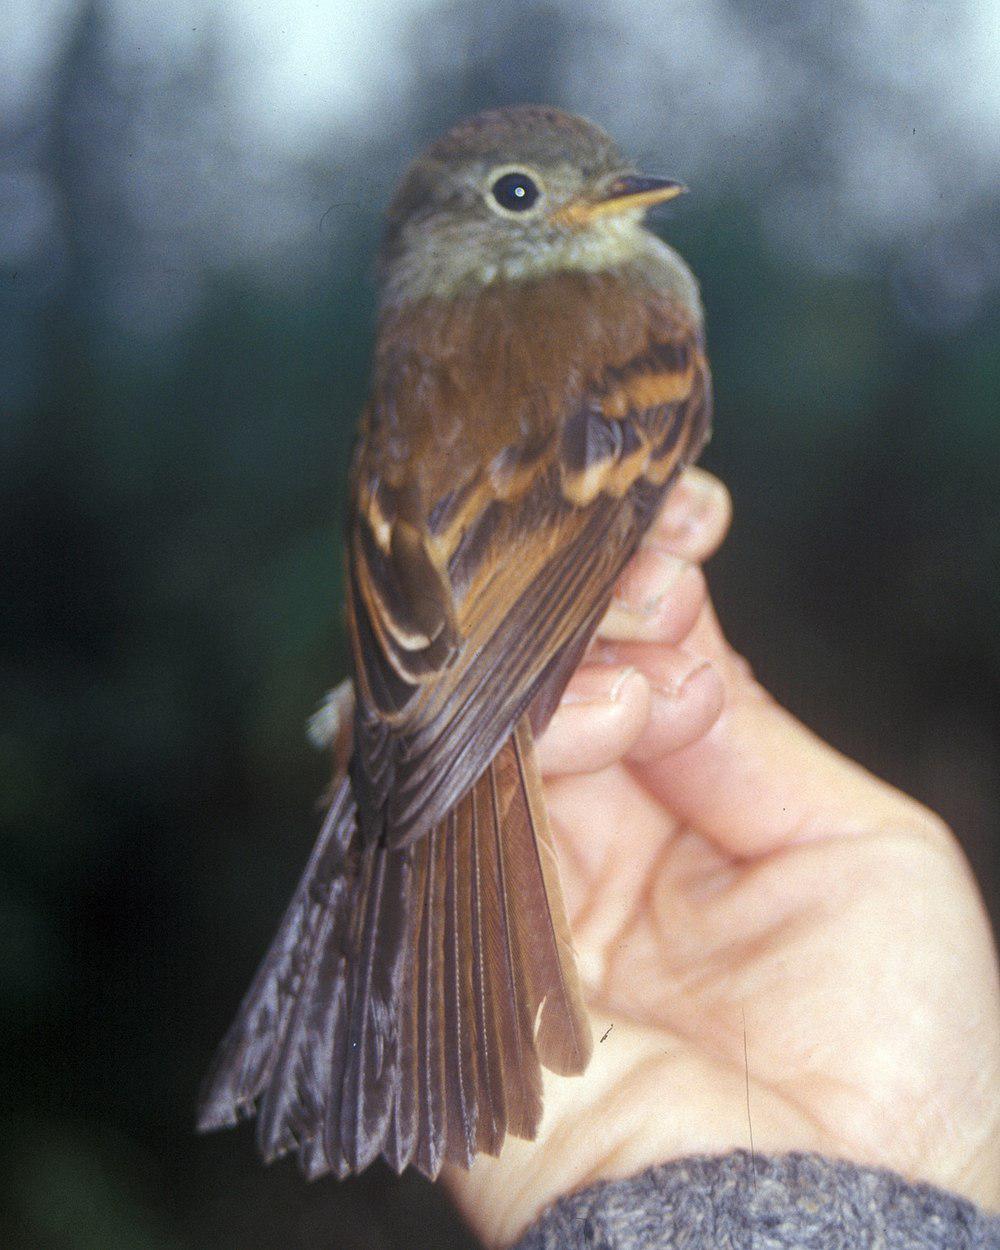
(191, 204)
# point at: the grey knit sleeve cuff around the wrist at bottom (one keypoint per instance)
(783, 1203)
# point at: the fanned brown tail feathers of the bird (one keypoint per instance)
(412, 994)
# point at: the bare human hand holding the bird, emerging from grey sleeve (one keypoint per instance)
(761, 924)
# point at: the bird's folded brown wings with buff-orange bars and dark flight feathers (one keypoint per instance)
(466, 613)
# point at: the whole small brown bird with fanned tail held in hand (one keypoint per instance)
(539, 384)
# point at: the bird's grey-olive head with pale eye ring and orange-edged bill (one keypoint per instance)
(516, 194)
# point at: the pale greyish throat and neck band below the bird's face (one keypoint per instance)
(446, 266)
